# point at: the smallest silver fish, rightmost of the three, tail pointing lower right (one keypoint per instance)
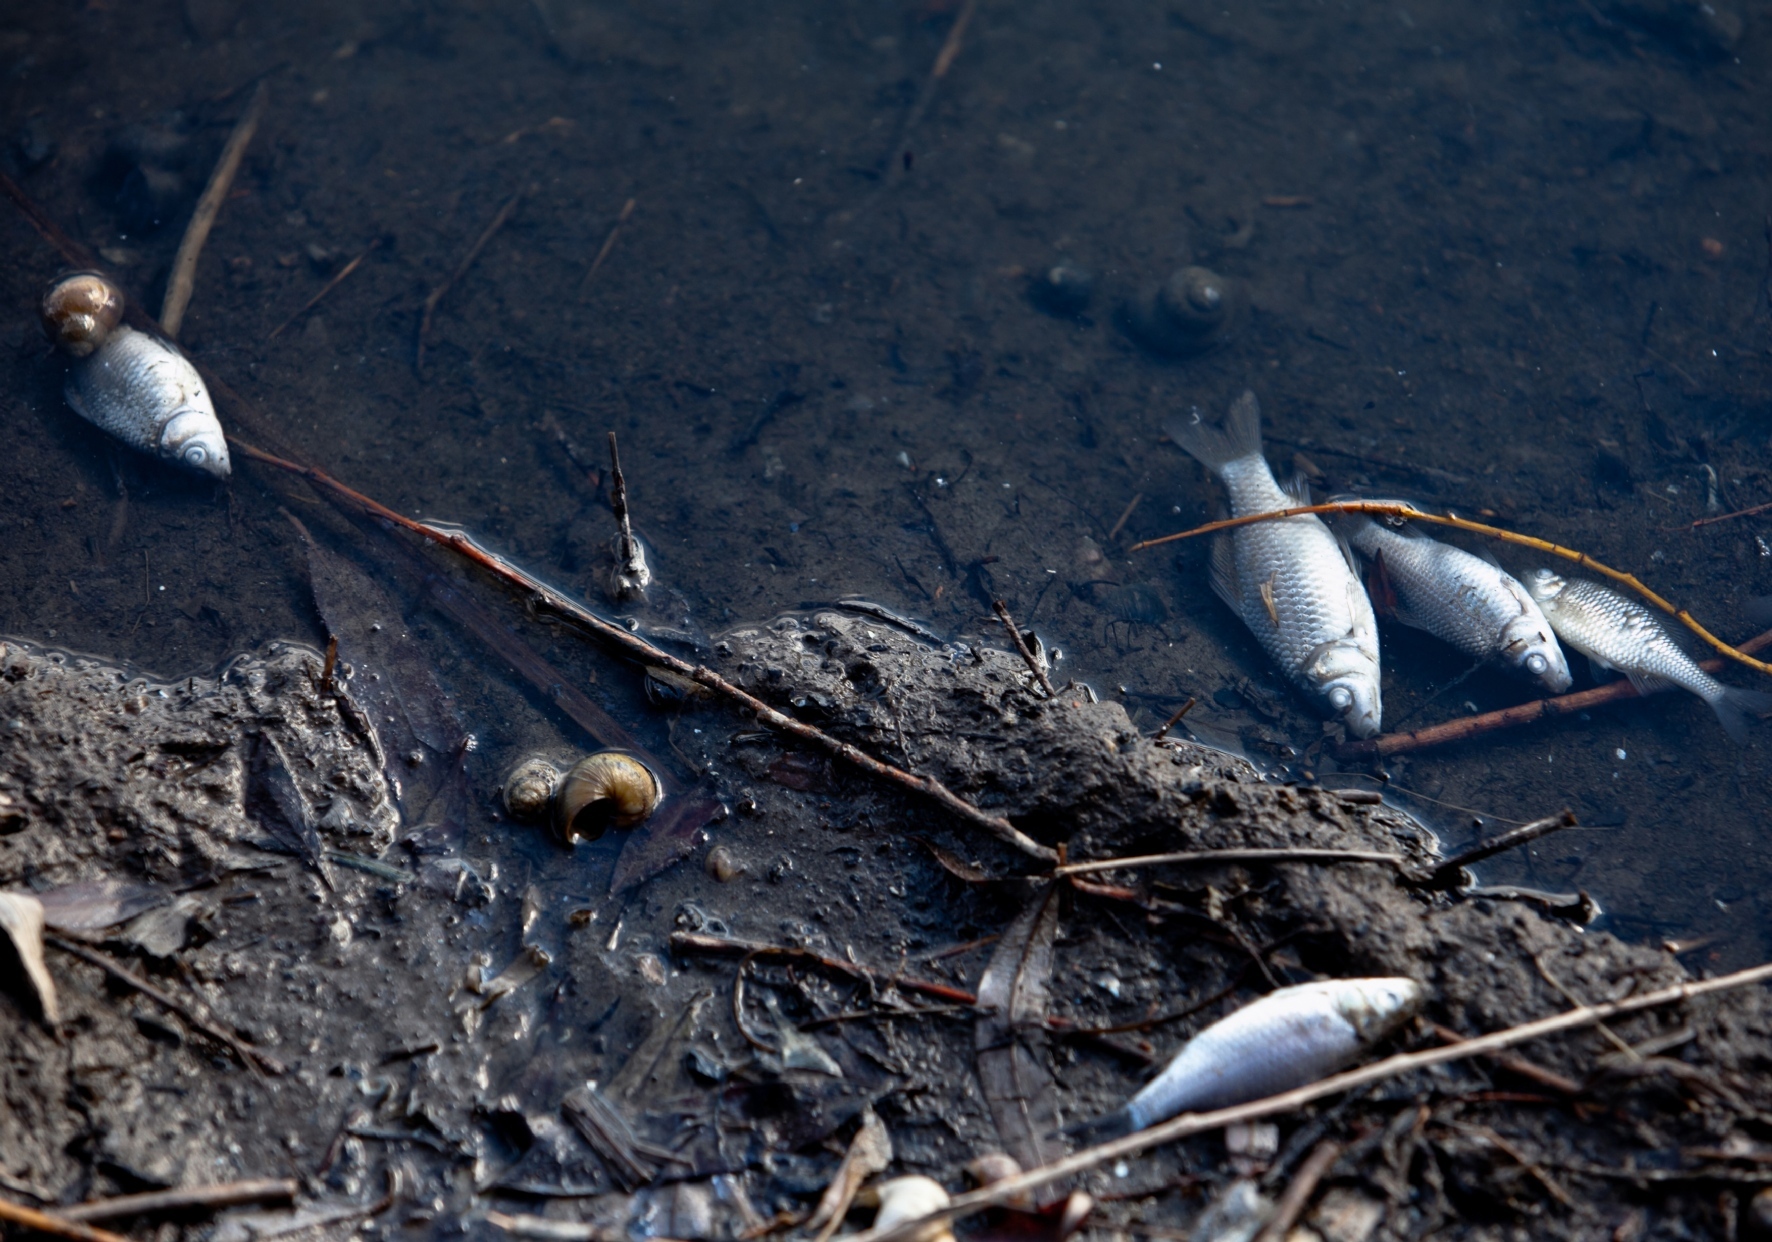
(1619, 633)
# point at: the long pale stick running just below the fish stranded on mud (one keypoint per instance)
(1287, 1101)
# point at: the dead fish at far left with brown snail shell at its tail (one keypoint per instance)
(130, 384)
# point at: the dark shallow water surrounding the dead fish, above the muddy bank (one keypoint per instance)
(1511, 263)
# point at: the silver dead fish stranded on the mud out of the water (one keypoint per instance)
(1287, 1039)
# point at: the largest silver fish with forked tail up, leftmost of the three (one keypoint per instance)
(1291, 580)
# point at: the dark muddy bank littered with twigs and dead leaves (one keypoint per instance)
(417, 1050)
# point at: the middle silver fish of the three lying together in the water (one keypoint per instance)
(1463, 600)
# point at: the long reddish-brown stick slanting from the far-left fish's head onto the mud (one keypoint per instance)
(552, 600)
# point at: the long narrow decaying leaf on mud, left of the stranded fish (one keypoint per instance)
(1013, 1002)
